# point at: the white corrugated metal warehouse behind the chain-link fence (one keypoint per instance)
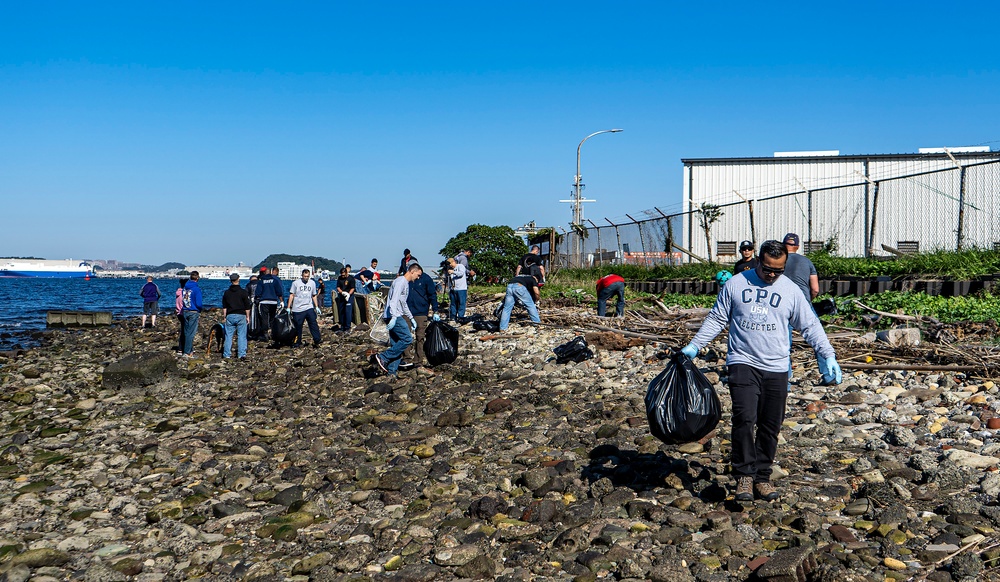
(939, 198)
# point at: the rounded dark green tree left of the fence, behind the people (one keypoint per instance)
(496, 250)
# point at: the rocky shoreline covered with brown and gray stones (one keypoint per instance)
(505, 465)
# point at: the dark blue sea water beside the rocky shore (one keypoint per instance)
(24, 302)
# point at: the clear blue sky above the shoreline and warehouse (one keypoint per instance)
(222, 132)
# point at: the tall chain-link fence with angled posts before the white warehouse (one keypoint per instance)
(949, 209)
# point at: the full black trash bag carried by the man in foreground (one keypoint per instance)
(681, 404)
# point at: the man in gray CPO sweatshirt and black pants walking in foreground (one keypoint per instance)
(758, 306)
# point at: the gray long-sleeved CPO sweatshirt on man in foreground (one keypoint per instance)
(758, 316)
